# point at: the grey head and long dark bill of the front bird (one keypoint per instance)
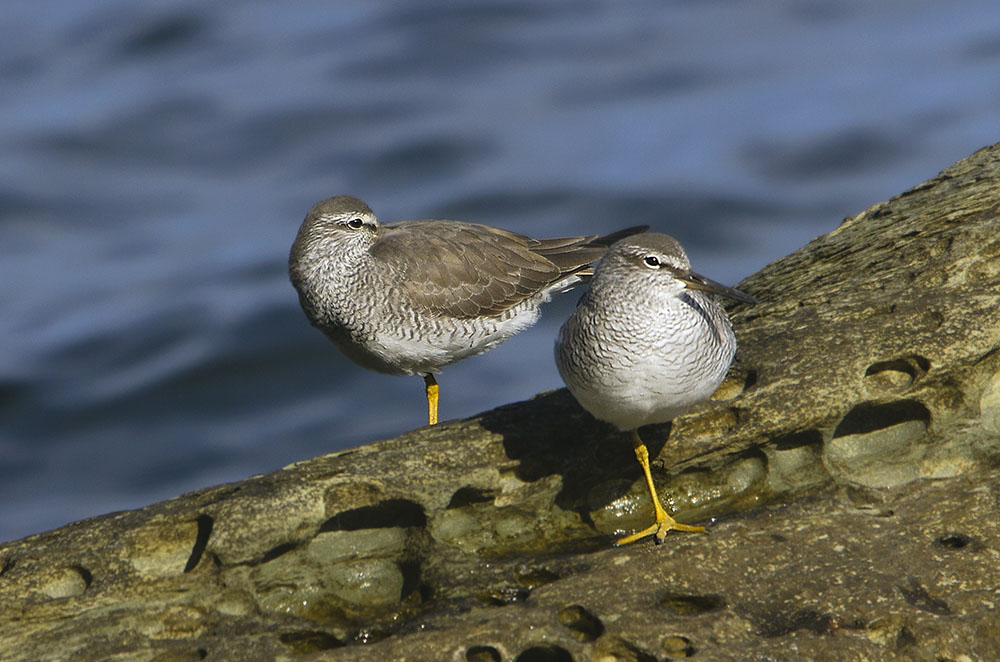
(660, 260)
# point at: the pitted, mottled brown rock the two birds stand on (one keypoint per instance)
(847, 471)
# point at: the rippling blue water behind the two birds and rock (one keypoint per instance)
(157, 158)
